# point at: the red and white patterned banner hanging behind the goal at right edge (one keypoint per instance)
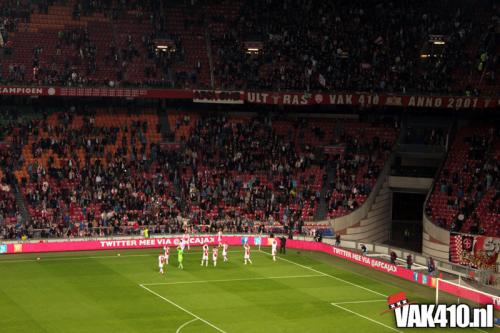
(474, 251)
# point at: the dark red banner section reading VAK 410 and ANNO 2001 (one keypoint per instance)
(365, 99)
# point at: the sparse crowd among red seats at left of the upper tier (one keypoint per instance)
(127, 58)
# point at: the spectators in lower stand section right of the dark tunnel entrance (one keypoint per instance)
(467, 194)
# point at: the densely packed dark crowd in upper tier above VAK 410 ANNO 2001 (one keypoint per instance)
(344, 45)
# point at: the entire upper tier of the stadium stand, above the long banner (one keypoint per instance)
(115, 43)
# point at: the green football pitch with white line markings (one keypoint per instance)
(103, 292)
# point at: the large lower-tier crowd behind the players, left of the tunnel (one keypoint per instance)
(81, 178)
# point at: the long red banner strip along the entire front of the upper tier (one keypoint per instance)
(277, 98)
